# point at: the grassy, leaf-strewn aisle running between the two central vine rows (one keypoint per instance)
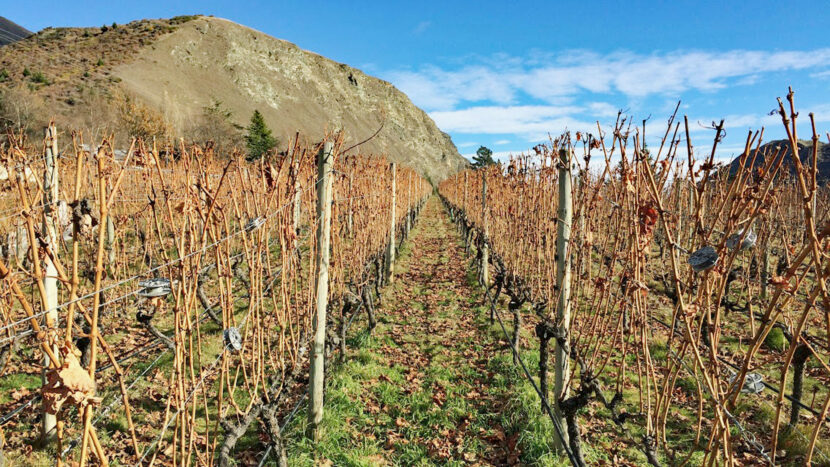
(432, 384)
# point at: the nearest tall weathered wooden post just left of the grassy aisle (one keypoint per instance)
(317, 366)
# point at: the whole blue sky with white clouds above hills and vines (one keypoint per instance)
(504, 74)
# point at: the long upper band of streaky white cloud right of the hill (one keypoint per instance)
(552, 77)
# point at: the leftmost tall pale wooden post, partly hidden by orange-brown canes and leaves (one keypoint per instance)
(50, 279)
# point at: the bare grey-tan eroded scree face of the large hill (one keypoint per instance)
(210, 59)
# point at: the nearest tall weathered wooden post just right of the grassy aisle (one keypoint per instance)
(563, 278)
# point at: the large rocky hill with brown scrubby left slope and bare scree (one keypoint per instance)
(170, 73)
